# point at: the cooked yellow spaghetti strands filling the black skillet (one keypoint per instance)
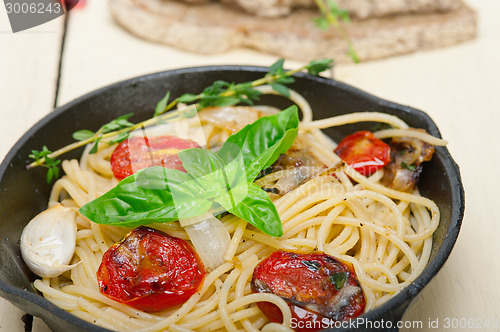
(385, 234)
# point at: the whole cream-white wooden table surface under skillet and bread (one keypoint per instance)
(458, 87)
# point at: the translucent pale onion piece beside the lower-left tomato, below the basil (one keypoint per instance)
(209, 237)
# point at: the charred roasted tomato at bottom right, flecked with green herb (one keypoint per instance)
(318, 288)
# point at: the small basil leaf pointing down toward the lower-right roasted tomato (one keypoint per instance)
(258, 209)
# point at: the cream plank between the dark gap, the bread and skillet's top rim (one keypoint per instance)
(98, 52)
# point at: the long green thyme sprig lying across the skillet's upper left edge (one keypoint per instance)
(220, 93)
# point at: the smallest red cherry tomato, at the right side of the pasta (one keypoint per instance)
(364, 152)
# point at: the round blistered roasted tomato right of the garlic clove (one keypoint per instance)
(150, 270)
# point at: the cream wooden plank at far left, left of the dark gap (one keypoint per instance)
(29, 63)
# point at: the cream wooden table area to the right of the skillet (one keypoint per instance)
(457, 88)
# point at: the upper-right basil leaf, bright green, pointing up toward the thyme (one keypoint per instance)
(263, 141)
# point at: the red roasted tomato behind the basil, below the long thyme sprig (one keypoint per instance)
(137, 153)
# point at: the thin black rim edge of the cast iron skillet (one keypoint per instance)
(391, 310)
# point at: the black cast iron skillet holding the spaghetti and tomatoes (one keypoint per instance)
(23, 194)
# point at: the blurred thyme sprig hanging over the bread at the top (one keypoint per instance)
(331, 15)
